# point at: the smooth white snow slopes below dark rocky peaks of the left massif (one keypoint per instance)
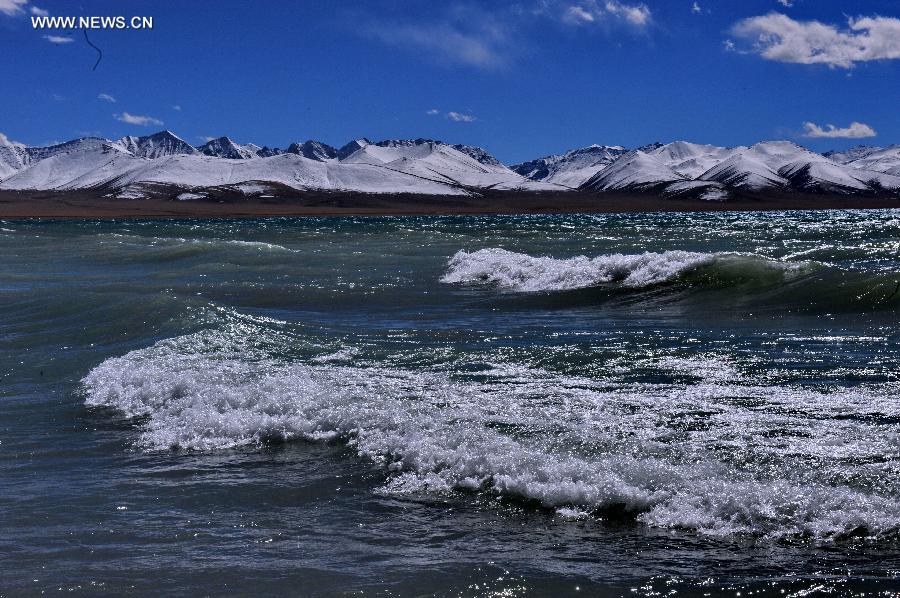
(391, 167)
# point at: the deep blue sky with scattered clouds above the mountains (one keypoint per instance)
(522, 79)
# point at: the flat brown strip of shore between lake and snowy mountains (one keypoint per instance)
(85, 206)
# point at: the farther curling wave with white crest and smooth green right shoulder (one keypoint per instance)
(748, 278)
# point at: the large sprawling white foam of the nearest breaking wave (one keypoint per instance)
(706, 456)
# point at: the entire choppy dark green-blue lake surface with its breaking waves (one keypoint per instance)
(616, 405)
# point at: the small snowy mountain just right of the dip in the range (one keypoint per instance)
(573, 168)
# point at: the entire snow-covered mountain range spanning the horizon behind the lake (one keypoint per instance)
(163, 164)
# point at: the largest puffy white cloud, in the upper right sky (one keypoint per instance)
(782, 39)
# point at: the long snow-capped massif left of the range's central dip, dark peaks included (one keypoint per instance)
(134, 166)
